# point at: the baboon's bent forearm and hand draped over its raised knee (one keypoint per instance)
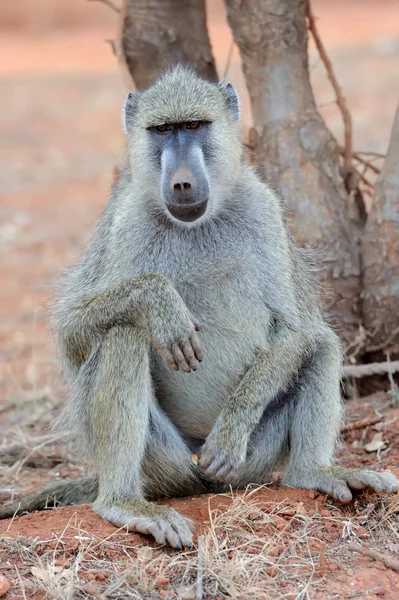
(147, 298)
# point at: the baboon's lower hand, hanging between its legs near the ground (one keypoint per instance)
(223, 455)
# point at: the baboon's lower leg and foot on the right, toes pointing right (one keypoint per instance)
(314, 429)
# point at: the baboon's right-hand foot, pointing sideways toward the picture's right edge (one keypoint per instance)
(337, 481)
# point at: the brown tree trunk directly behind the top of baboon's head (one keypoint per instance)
(158, 33)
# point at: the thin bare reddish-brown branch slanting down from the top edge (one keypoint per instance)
(341, 102)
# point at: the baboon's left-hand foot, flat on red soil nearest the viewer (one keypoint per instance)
(164, 523)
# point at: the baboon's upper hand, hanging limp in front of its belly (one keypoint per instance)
(174, 331)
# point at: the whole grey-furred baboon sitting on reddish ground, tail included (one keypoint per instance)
(192, 326)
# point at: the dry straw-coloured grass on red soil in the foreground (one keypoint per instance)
(252, 550)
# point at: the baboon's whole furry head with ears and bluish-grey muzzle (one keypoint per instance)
(183, 137)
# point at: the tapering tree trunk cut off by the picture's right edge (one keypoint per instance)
(380, 254)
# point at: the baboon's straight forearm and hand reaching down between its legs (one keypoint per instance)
(274, 367)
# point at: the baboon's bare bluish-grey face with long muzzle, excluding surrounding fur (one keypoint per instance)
(180, 151)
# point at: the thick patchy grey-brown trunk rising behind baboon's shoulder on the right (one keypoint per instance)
(294, 150)
